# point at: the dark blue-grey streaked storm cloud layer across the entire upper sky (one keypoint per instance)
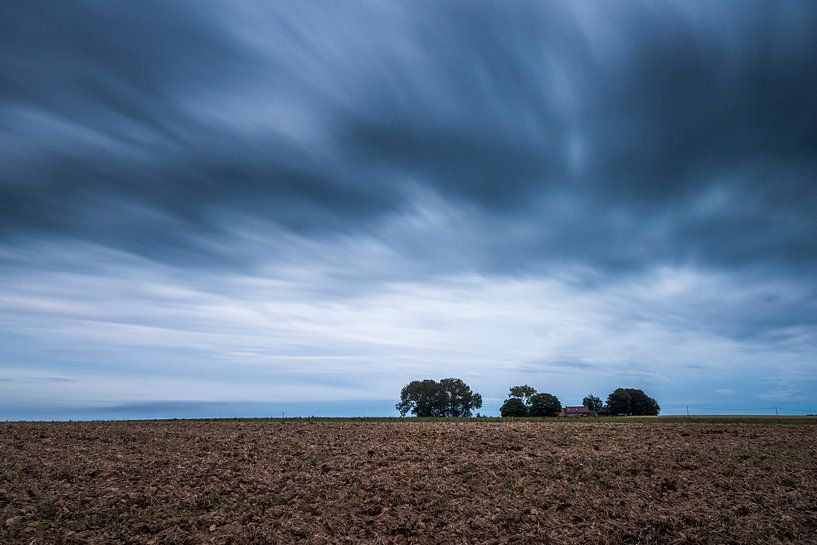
(615, 136)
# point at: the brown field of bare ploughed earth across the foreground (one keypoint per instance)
(408, 482)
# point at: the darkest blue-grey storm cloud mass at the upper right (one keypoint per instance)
(715, 127)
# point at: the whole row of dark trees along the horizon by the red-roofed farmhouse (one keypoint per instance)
(452, 398)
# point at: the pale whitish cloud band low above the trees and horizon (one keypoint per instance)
(132, 332)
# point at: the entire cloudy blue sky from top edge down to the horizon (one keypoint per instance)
(244, 209)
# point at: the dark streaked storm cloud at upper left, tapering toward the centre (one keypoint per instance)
(100, 143)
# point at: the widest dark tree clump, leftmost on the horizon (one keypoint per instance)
(429, 398)
